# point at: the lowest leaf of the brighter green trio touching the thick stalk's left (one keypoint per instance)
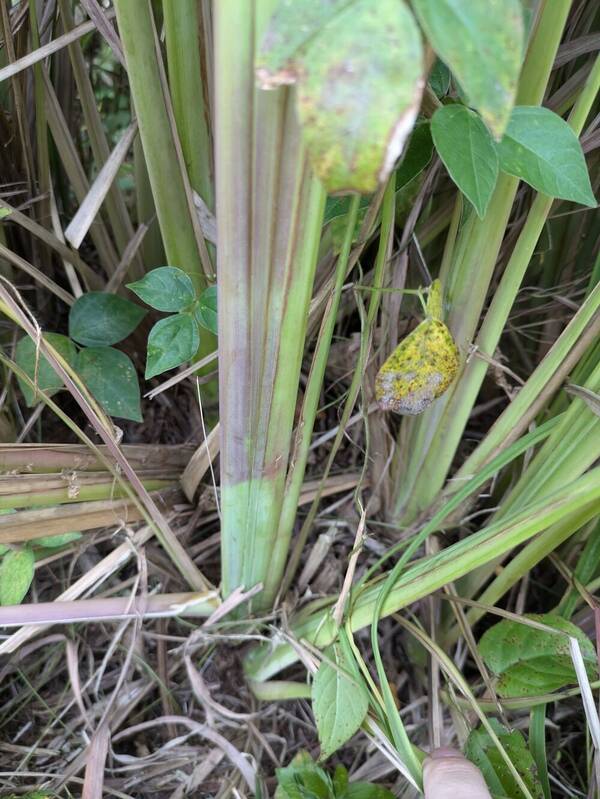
(171, 342)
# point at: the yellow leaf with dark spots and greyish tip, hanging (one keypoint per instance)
(421, 367)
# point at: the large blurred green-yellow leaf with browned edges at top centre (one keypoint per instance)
(359, 90)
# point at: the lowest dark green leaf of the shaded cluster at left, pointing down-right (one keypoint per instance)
(111, 377)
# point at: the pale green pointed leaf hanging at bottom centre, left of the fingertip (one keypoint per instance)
(339, 700)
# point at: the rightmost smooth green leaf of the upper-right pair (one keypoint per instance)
(543, 150)
